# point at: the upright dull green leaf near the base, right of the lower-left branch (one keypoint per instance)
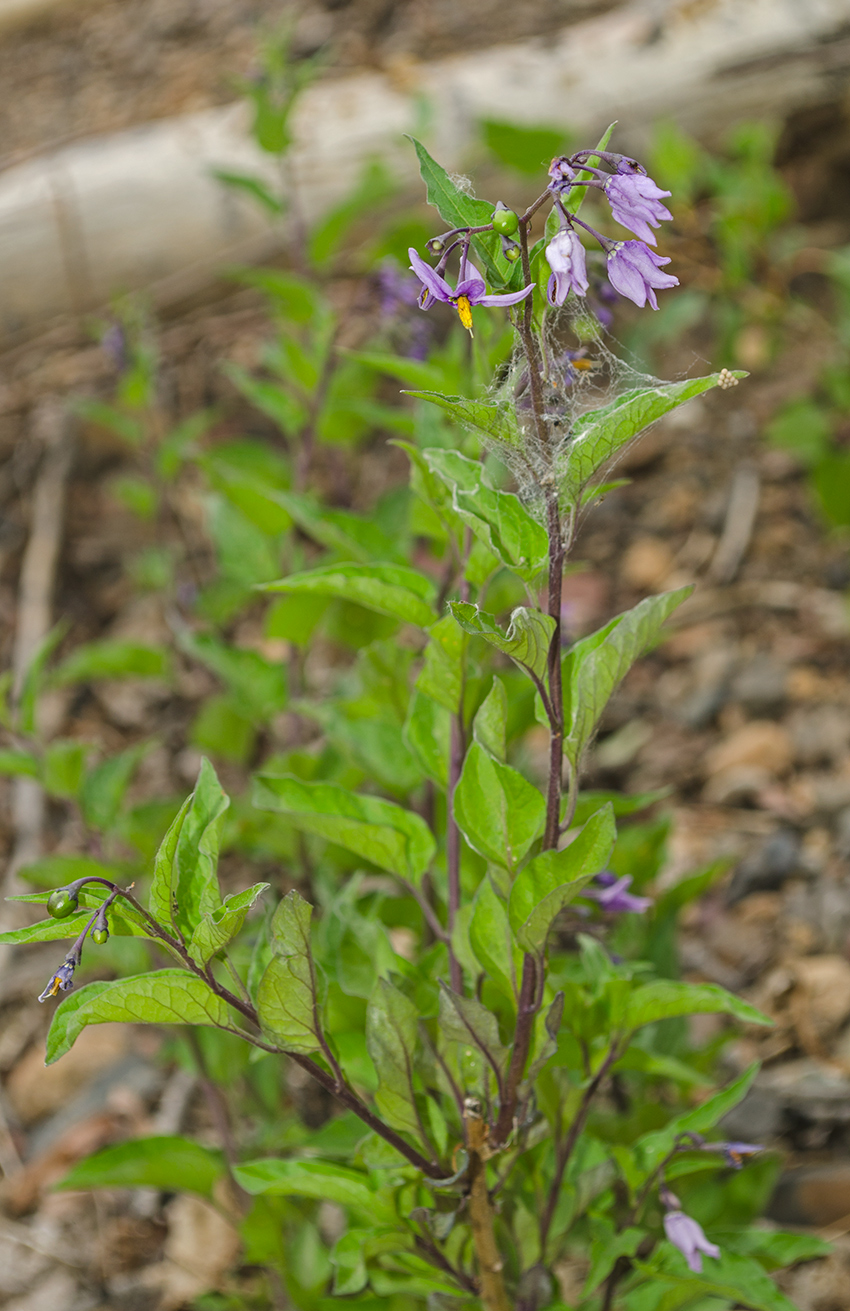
(392, 1039)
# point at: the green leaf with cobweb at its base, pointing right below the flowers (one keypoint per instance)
(599, 436)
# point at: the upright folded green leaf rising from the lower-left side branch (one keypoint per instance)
(186, 884)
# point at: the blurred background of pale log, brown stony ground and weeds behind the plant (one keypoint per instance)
(170, 170)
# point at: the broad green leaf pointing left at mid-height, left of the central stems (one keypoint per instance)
(380, 832)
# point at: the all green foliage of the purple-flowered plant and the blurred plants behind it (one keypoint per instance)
(395, 905)
